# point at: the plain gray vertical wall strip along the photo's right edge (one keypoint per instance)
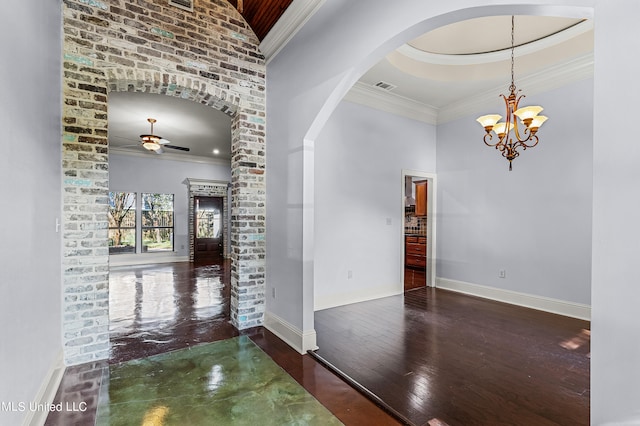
(615, 373)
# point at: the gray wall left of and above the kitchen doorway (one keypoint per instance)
(359, 157)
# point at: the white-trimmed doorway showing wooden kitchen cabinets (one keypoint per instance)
(418, 229)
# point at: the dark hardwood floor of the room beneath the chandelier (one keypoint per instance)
(438, 357)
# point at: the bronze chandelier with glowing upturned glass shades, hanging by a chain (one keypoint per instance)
(508, 129)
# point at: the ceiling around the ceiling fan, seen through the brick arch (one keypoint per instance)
(183, 122)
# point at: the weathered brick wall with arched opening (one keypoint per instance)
(209, 56)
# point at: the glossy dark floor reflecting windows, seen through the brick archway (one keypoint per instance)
(168, 307)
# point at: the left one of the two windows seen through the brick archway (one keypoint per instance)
(122, 222)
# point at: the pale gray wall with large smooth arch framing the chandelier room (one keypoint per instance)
(318, 66)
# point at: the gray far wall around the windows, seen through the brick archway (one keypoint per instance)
(141, 174)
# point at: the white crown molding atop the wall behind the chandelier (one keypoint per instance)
(550, 78)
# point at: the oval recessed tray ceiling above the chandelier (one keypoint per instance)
(451, 63)
